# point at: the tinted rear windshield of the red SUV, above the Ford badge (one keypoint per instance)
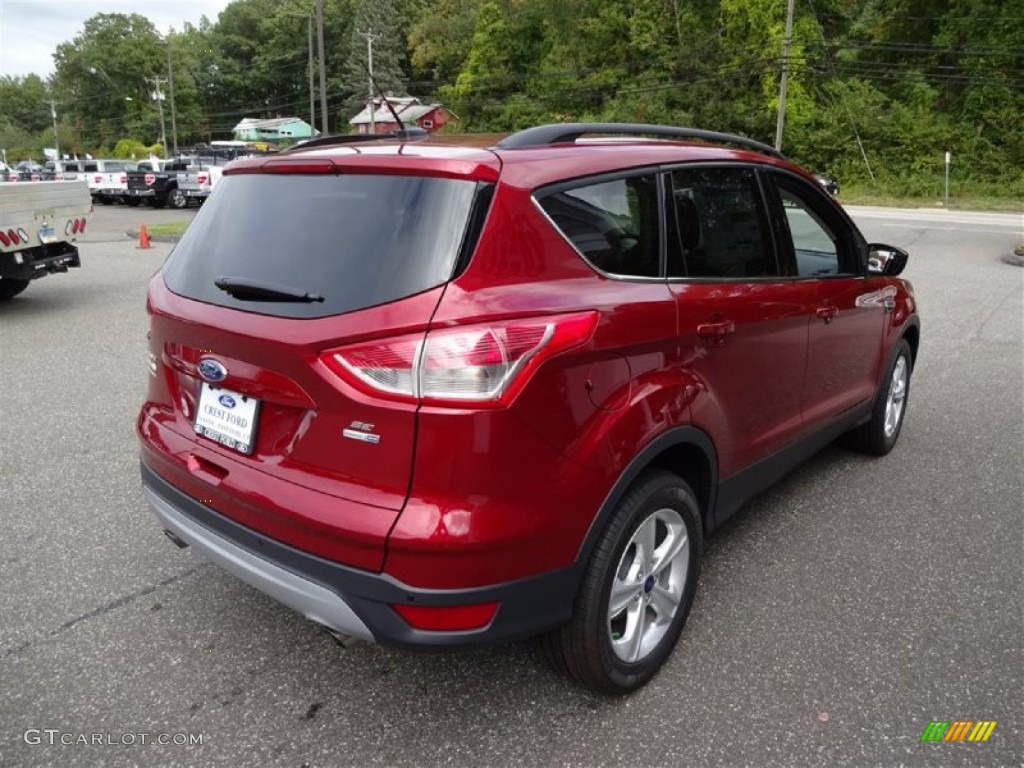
(358, 241)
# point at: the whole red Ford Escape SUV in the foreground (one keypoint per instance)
(434, 394)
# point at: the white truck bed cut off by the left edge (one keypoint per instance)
(39, 224)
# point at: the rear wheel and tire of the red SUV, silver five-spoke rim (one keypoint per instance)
(637, 590)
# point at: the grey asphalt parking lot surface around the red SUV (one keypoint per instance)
(838, 615)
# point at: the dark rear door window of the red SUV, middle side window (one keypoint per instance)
(718, 227)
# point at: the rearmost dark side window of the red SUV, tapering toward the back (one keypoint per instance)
(615, 225)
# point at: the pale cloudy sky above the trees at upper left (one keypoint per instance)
(31, 30)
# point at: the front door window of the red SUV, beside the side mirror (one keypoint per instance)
(817, 242)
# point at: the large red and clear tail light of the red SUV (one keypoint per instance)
(485, 365)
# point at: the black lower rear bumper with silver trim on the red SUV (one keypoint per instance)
(353, 602)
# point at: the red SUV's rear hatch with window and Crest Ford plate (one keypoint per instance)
(310, 259)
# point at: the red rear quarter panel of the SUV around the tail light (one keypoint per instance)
(506, 494)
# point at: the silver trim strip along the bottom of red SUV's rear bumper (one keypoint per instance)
(312, 601)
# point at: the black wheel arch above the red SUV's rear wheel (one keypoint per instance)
(686, 451)
